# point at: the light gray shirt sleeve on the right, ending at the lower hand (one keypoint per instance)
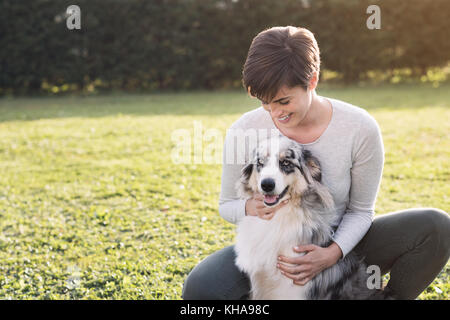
(366, 174)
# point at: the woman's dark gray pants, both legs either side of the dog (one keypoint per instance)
(413, 245)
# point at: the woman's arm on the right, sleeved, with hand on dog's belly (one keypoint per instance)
(366, 173)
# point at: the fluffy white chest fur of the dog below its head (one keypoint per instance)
(259, 242)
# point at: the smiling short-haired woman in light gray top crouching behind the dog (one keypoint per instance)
(282, 70)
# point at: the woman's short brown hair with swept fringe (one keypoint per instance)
(280, 56)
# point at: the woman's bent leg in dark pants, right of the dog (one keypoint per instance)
(413, 245)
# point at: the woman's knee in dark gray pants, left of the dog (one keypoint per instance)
(217, 278)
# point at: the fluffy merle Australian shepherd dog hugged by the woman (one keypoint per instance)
(282, 169)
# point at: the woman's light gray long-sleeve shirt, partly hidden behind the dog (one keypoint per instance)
(351, 154)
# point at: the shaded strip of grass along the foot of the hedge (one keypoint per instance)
(210, 103)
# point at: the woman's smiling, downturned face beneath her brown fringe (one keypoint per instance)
(289, 107)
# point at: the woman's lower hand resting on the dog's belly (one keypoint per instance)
(308, 266)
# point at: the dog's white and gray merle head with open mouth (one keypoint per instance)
(280, 169)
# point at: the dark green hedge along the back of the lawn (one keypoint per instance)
(192, 44)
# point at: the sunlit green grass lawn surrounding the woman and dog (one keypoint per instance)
(91, 206)
